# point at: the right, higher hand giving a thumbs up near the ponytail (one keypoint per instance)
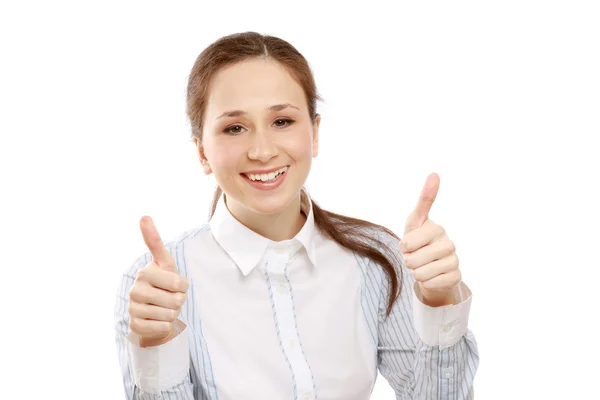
(428, 252)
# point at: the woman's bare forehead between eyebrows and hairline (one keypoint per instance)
(253, 84)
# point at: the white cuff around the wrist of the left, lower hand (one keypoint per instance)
(159, 368)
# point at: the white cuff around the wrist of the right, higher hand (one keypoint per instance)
(442, 326)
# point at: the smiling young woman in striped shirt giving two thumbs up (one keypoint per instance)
(274, 297)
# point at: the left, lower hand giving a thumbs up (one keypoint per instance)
(156, 296)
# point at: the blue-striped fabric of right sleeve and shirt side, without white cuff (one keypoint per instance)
(413, 369)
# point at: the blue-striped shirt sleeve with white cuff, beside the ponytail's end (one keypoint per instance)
(426, 352)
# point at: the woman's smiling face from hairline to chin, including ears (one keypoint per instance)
(258, 137)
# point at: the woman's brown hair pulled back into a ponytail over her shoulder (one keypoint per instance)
(353, 234)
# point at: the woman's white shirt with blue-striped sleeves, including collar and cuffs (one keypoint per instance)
(299, 319)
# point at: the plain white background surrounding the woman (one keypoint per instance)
(501, 99)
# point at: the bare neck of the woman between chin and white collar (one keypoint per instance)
(277, 227)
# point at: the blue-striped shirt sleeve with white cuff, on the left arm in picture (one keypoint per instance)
(153, 372)
